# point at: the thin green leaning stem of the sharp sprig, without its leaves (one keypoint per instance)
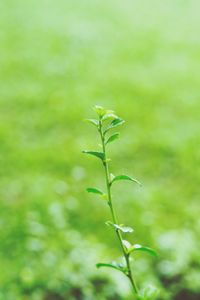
(113, 213)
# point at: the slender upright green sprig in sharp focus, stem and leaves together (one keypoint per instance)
(108, 120)
